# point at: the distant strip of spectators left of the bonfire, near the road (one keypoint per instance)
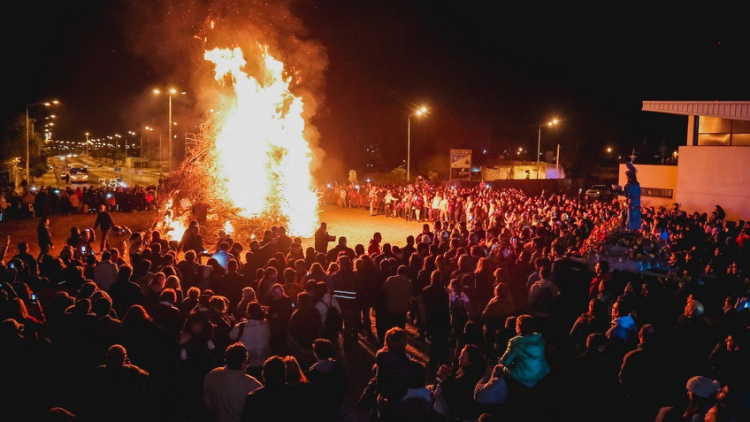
(34, 201)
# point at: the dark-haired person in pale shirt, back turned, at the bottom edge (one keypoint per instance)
(226, 388)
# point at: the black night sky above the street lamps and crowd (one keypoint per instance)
(490, 71)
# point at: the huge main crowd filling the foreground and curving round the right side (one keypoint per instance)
(486, 314)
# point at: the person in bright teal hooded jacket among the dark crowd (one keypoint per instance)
(524, 359)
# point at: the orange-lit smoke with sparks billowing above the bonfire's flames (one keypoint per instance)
(173, 35)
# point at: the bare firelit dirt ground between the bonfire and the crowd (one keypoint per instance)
(355, 224)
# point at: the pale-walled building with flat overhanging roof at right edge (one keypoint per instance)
(714, 164)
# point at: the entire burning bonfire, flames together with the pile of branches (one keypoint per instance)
(250, 161)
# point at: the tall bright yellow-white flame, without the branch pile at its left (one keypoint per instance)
(262, 159)
